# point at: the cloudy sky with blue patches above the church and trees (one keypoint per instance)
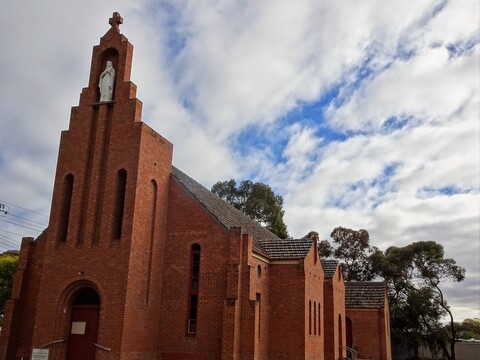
(362, 114)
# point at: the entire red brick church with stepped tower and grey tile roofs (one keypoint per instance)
(140, 261)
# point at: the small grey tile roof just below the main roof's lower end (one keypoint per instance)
(286, 249)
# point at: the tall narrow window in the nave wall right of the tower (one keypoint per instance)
(193, 293)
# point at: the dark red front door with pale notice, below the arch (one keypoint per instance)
(83, 332)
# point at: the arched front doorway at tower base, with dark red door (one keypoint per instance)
(83, 325)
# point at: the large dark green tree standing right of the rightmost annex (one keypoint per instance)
(415, 273)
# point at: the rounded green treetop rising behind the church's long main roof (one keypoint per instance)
(257, 200)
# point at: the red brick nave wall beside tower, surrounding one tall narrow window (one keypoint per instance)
(188, 224)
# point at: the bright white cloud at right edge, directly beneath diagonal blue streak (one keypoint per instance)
(429, 86)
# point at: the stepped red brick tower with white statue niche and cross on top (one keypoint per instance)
(94, 277)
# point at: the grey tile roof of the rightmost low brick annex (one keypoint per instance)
(364, 294)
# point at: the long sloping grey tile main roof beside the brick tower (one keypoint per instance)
(223, 212)
